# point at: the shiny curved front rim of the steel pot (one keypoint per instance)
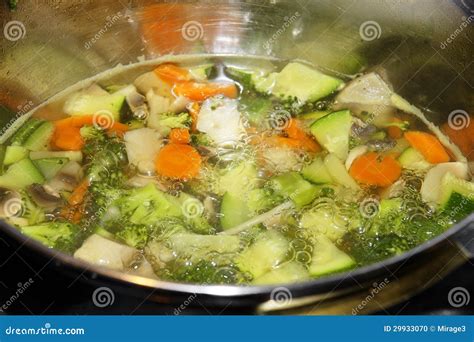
(365, 272)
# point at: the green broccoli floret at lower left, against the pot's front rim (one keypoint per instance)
(59, 235)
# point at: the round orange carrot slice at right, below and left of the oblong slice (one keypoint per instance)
(373, 169)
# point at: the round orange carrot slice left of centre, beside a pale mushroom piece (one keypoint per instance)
(178, 161)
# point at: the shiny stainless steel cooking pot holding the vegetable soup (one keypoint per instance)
(424, 47)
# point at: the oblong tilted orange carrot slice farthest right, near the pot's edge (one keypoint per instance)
(428, 145)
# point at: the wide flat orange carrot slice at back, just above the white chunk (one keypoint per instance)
(199, 91)
